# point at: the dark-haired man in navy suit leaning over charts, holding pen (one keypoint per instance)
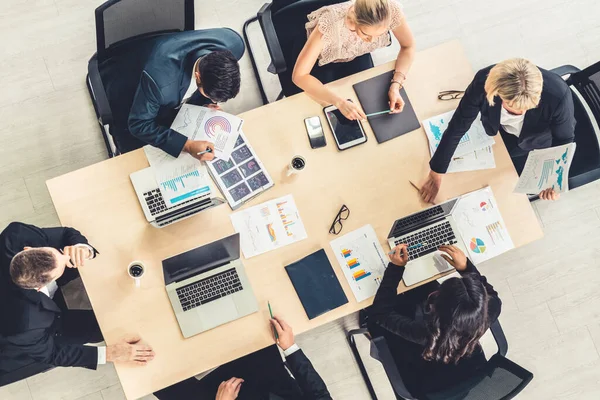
(147, 86)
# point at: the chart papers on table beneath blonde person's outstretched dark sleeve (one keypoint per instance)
(474, 151)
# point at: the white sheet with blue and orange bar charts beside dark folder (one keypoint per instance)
(362, 260)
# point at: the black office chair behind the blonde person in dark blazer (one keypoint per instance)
(585, 87)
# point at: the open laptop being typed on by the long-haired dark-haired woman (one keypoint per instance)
(434, 226)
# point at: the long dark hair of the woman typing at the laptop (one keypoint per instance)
(456, 318)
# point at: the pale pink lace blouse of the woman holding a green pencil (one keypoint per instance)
(340, 44)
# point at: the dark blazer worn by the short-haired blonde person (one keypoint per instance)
(551, 123)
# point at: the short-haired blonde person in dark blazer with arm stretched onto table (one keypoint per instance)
(531, 107)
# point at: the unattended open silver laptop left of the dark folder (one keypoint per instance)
(208, 286)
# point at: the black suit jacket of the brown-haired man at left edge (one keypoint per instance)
(27, 317)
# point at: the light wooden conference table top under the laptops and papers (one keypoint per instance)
(371, 179)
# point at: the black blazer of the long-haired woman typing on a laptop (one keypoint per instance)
(407, 336)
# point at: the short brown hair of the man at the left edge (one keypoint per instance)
(30, 269)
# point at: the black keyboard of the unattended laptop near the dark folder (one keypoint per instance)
(209, 289)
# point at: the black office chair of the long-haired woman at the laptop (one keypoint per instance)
(500, 379)
